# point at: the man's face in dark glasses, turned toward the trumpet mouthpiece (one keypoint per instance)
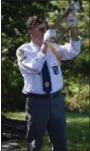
(37, 32)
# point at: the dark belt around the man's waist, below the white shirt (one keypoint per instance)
(51, 95)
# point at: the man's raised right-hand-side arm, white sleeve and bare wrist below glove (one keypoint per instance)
(71, 49)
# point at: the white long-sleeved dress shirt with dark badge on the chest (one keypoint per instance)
(31, 60)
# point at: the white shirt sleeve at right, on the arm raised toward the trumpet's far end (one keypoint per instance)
(69, 50)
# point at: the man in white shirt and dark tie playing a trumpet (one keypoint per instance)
(43, 82)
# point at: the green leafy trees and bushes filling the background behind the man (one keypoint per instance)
(75, 72)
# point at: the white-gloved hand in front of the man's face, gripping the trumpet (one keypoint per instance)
(49, 35)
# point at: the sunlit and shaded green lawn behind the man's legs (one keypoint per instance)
(77, 131)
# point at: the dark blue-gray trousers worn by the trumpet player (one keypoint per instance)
(45, 114)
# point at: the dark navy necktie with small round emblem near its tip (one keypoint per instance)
(46, 79)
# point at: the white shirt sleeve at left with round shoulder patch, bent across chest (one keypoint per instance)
(30, 63)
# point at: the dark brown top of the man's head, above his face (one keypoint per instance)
(34, 20)
